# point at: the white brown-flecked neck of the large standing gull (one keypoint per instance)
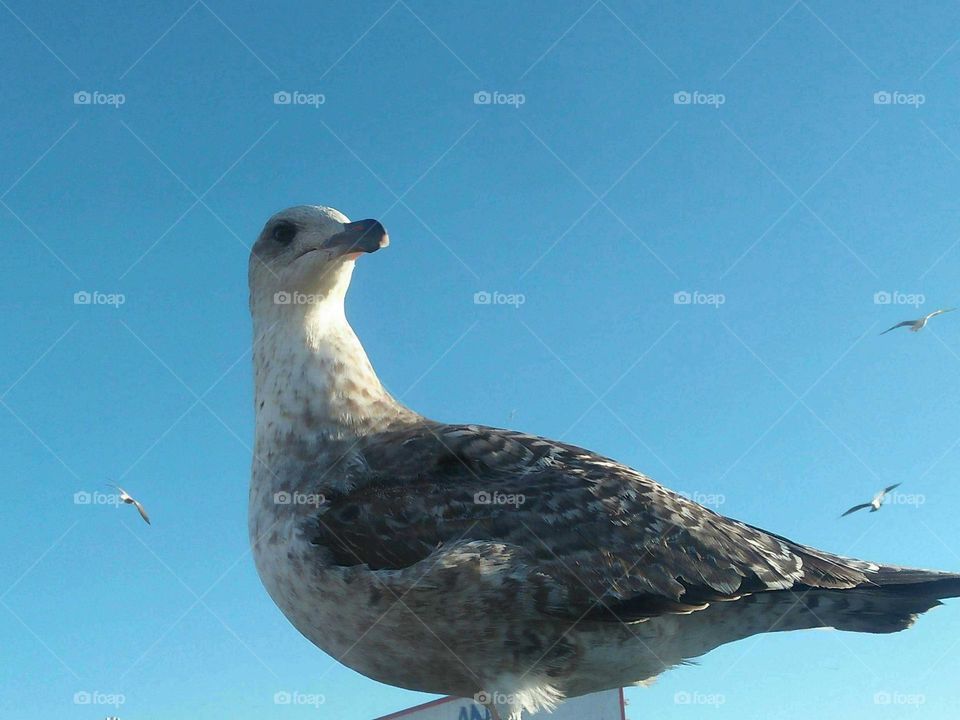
(314, 382)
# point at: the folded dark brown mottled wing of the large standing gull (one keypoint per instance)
(593, 537)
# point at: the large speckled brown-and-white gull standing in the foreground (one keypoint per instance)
(465, 560)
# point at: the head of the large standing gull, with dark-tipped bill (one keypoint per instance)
(306, 254)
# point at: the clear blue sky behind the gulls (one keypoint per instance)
(786, 198)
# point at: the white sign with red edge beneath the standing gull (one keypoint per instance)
(607, 705)
